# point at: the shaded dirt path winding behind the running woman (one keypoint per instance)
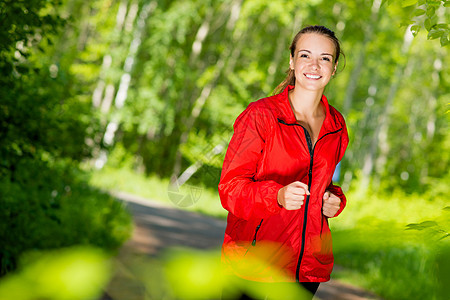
(159, 227)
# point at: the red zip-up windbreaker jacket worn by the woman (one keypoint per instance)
(269, 150)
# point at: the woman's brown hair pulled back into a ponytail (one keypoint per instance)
(290, 78)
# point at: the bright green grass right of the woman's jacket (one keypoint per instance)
(399, 238)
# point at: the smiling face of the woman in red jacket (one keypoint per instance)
(313, 61)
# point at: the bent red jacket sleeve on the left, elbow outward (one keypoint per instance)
(239, 192)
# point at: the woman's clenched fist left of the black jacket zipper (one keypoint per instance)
(292, 196)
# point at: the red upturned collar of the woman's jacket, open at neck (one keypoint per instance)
(330, 123)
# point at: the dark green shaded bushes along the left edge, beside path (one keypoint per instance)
(46, 203)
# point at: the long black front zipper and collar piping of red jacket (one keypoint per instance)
(311, 148)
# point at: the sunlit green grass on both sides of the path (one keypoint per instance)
(372, 243)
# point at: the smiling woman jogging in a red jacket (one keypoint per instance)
(276, 177)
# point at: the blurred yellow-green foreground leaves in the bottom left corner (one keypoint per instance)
(71, 273)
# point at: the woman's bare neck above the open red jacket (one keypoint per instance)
(306, 103)
